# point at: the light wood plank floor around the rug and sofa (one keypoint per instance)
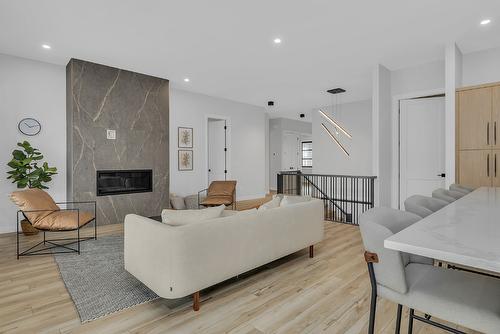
(326, 294)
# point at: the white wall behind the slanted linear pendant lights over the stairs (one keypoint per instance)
(356, 117)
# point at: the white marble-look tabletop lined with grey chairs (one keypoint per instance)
(465, 232)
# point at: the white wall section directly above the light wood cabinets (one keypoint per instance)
(481, 67)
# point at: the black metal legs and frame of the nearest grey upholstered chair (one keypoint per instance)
(372, 258)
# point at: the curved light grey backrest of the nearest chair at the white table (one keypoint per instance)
(376, 225)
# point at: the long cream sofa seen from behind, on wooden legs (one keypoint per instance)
(176, 261)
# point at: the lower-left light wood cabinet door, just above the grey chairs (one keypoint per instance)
(476, 168)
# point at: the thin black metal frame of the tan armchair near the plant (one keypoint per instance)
(54, 243)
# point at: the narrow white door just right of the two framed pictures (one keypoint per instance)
(216, 152)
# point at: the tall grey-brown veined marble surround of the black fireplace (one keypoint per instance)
(136, 106)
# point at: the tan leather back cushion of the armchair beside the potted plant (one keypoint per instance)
(34, 199)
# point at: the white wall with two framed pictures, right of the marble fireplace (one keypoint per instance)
(247, 138)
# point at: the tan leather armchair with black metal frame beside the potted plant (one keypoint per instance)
(40, 210)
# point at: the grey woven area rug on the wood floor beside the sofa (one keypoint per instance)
(97, 281)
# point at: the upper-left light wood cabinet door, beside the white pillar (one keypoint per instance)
(474, 119)
